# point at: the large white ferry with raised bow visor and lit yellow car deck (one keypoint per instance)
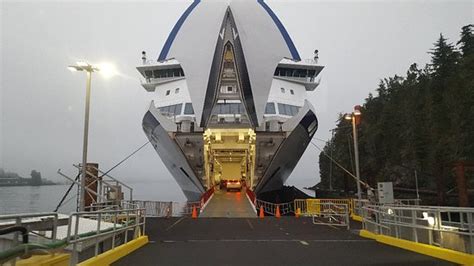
(229, 90)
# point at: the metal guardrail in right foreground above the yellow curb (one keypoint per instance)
(446, 227)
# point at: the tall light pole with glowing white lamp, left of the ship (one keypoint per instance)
(83, 66)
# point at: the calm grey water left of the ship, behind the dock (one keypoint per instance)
(45, 198)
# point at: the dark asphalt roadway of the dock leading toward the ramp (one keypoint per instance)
(269, 241)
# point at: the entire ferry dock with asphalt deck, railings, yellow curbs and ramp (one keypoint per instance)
(228, 231)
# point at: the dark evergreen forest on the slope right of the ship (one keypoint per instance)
(422, 122)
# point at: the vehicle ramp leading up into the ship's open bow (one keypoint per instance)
(229, 204)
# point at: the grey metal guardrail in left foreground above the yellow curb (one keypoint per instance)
(108, 224)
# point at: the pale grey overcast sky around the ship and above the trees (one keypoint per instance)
(42, 103)
